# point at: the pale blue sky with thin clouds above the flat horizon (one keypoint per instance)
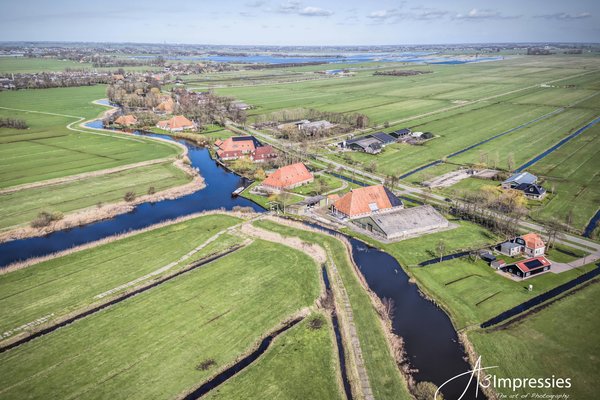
(332, 22)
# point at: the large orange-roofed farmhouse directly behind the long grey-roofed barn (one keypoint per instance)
(365, 201)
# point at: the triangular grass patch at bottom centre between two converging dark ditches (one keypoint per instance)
(289, 368)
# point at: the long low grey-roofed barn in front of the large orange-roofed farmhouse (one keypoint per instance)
(403, 223)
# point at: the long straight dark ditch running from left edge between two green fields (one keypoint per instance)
(117, 300)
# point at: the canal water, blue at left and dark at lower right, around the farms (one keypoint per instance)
(430, 340)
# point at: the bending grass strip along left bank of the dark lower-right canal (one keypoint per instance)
(384, 377)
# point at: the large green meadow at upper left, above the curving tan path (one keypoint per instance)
(49, 150)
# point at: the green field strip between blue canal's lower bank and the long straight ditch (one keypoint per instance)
(65, 284)
